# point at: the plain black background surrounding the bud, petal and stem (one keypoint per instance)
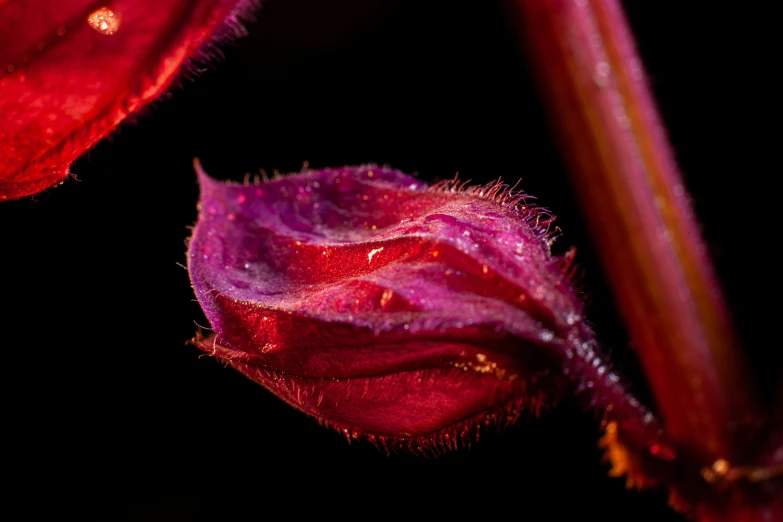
(109, 415)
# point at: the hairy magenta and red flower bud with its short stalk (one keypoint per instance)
(407, 314)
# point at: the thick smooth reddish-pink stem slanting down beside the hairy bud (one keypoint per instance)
(641, 219)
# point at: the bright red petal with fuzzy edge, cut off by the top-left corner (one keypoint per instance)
(71, 71)
